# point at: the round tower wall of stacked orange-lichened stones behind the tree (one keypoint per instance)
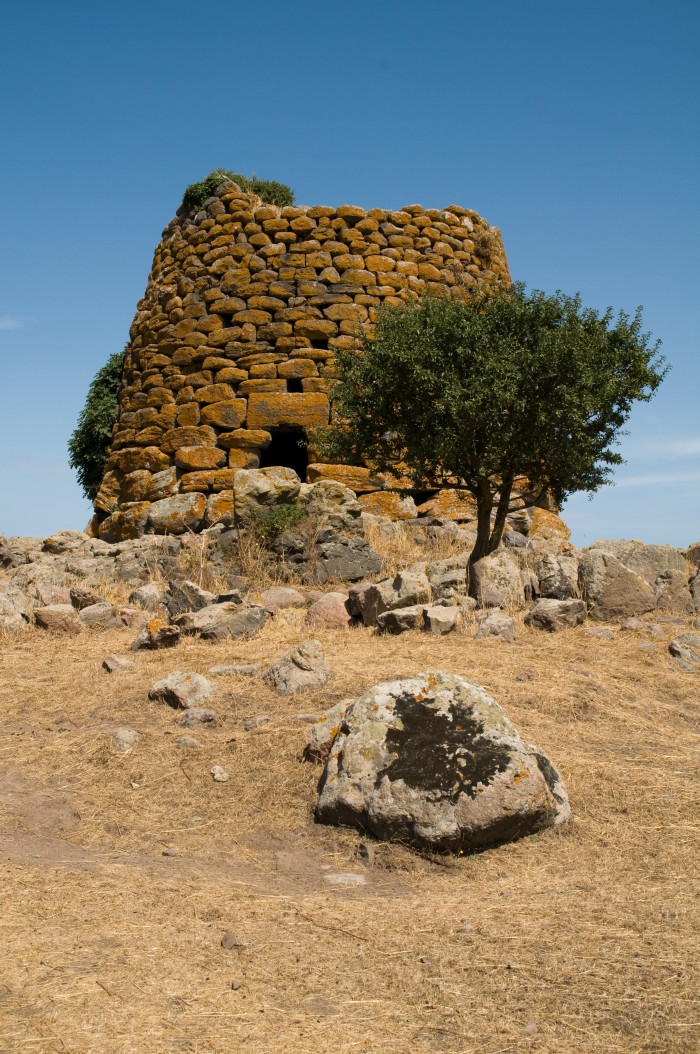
(231, 354)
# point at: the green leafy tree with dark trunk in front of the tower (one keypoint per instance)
(478, 394)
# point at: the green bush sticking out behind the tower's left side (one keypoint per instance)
(89, 444)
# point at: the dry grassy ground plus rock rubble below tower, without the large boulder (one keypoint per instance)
(166, 886)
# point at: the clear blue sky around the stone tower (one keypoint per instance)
(573, 127)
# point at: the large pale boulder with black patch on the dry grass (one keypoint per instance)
(433, 762)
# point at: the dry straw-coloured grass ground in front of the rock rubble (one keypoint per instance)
(580, 940)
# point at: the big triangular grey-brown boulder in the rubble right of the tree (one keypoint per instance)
(611, 590)
